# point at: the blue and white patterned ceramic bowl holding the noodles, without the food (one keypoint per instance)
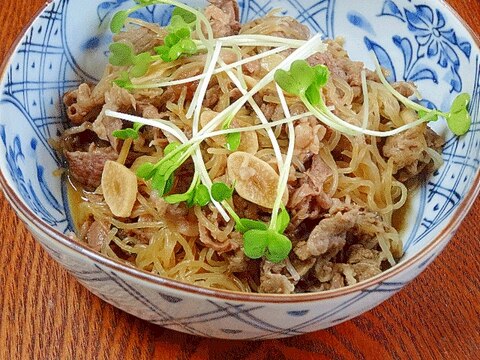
(421, 41)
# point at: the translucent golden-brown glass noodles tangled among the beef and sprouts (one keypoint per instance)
(167, 239)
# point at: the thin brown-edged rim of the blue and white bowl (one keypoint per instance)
(32, 220)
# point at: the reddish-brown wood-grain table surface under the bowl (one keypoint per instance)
(46, 314)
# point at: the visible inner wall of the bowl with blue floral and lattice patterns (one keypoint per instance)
(419, 41)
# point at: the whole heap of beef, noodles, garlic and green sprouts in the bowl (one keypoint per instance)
(248, 157)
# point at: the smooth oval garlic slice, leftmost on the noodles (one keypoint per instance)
(119, 186)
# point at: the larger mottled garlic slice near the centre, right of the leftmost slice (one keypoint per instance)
(254, 179)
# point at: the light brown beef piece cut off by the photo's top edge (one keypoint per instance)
(223, 16)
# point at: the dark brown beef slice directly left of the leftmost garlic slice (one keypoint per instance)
(86, 166)
